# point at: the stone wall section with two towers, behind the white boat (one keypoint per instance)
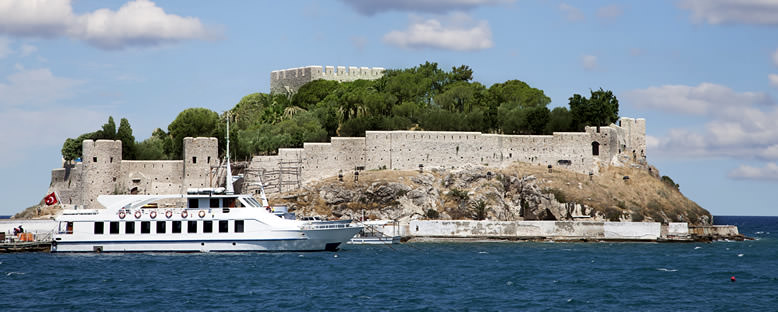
(102, 171)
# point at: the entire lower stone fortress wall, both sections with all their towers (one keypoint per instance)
(103, 171)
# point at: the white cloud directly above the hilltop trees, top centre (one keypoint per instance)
(459, 32)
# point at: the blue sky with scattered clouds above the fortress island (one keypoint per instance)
(703, 73)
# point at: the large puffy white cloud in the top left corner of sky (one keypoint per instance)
(136, 23)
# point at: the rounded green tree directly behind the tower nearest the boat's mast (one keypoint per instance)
(192, 122)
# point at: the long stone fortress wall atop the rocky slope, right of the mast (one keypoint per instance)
(582, 152)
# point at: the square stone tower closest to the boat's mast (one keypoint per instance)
(199, 155)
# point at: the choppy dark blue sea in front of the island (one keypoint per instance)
(500, 276)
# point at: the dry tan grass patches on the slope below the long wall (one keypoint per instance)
(642, 197)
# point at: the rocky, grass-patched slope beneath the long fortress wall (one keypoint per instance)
(521, 192)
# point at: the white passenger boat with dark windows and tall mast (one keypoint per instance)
(202, 220)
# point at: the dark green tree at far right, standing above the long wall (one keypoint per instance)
(601, 109)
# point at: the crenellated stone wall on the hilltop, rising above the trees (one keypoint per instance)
(289, 80)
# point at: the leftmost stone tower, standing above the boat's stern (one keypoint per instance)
(101, 168)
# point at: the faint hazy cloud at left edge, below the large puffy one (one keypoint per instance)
(35, 88)
